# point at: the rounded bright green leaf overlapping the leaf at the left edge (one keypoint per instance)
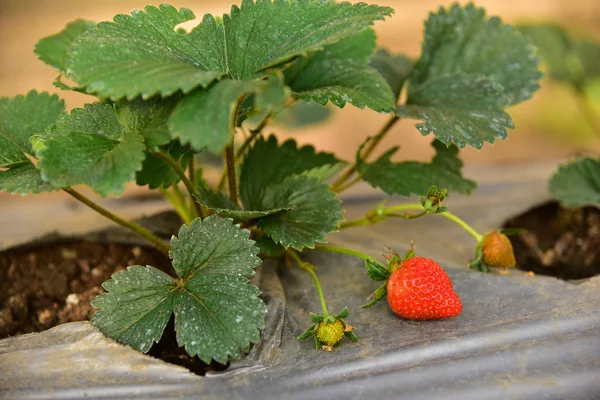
(91, 147)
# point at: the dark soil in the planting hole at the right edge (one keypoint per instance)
(559, 242)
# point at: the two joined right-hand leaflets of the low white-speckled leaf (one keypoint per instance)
(217, 312)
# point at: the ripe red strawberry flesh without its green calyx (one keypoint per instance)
(420, 289)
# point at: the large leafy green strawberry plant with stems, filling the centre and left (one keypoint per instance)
(165, 94)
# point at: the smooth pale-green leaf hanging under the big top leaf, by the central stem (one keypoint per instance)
(205, 118)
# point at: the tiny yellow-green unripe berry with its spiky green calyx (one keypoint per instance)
(328, 331)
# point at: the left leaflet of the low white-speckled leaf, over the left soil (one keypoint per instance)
(136, 308)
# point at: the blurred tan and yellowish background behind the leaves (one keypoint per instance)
(550, 126)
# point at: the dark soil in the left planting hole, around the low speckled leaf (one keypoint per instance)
(53, 284)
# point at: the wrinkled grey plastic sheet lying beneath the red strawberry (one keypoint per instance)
(518, 337)
